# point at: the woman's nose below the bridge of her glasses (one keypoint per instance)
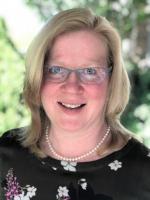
(73, 84)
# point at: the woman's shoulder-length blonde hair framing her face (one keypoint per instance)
(66, 21)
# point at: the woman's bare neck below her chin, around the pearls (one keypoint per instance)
(69, 144)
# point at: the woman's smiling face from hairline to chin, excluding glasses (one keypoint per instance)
(73, 105)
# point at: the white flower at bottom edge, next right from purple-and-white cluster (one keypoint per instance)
(62, 193)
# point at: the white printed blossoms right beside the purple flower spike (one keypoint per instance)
(27, 193)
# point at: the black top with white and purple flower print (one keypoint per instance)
(122, 175)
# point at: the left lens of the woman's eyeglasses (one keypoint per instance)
(56, 74)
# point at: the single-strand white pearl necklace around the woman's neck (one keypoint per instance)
(78, 157)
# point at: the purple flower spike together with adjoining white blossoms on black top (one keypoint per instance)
(14, 191)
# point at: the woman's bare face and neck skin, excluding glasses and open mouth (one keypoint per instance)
(80, 128)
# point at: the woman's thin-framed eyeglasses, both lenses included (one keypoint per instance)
(88, 75)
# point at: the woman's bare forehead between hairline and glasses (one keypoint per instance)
(79, 46)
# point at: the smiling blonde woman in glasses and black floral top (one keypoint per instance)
(75, 147)
